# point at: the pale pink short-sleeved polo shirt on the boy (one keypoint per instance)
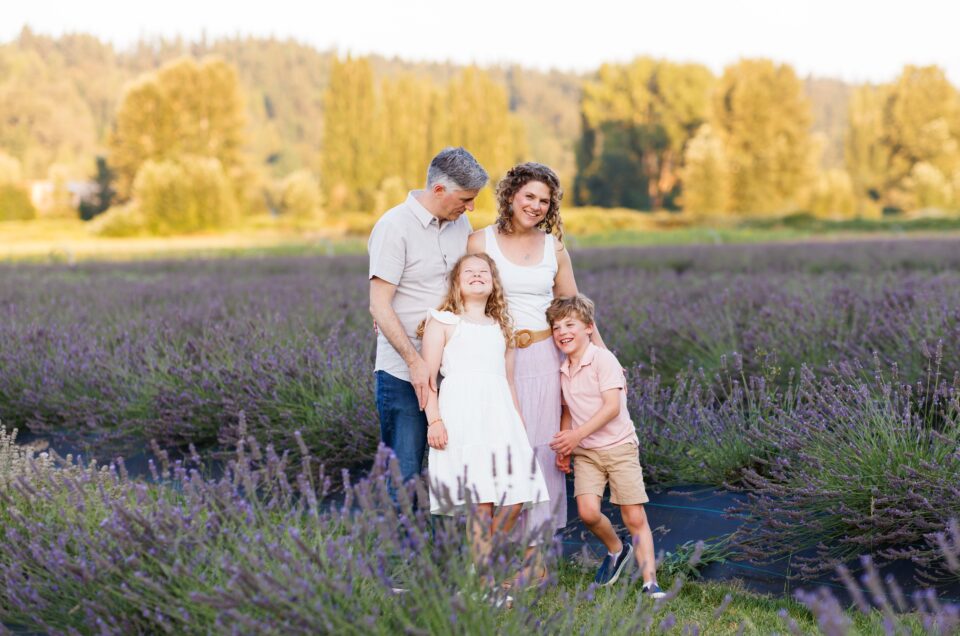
(582, 389)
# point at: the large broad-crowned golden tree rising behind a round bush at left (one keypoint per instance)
(185, 108)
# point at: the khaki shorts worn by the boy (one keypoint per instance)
(618, 466)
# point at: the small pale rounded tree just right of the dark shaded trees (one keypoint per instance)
(706, 175)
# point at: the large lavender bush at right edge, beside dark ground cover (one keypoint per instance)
(856, 469)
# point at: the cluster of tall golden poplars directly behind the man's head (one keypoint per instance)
(387, 133)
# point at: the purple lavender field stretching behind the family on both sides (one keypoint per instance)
(821, 379)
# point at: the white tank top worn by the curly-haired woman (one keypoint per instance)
(529, 289)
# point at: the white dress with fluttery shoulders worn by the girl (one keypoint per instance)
(487, 451)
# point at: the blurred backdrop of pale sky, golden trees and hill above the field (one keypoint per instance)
(294, 124)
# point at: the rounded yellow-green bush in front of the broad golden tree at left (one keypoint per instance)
(189, 195)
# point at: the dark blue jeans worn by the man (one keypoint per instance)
(403, 426)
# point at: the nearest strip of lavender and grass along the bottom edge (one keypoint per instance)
(257, 552)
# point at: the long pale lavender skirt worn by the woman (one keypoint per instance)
(537, 380)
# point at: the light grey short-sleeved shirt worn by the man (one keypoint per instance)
(410, 248)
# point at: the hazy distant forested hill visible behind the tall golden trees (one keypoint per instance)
(58, 97)
